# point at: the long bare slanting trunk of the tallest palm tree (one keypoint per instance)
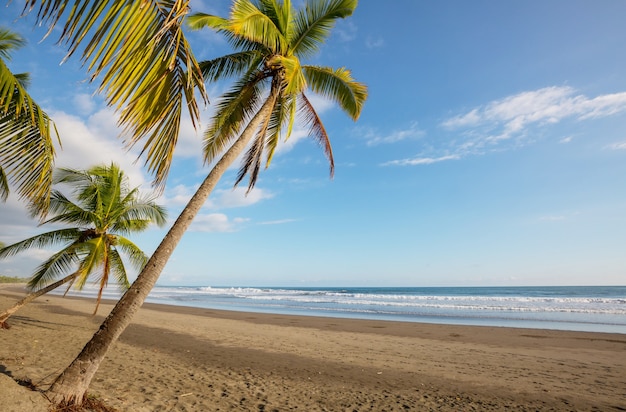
(70, 387)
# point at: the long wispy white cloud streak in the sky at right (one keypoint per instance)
(511, 122)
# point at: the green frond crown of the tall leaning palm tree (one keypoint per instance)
(270, 39)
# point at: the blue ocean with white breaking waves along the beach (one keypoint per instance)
(576, 308)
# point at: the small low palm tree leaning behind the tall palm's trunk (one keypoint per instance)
(105, 209)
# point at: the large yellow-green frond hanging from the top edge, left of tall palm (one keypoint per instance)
(146, 66)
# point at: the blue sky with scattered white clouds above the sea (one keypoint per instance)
(491, 151)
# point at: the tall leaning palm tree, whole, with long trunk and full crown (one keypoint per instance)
(270, 38)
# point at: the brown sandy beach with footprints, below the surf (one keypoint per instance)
(187, 359)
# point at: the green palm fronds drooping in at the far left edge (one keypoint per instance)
(26, 147)
